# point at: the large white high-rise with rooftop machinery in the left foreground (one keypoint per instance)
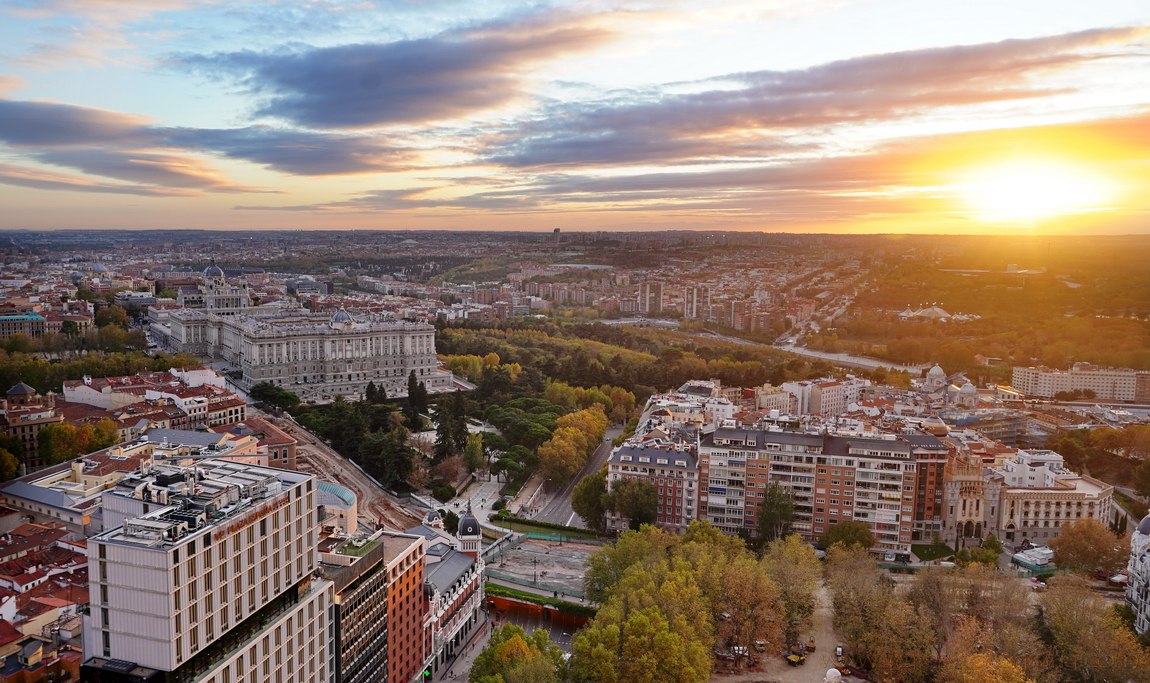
(211, 578)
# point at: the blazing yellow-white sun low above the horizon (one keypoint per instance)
(1029, 191)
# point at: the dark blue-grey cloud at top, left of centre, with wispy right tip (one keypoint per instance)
(444, 78)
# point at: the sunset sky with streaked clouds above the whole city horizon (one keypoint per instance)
(919, 117)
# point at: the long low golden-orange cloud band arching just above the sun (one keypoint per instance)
(898, 181)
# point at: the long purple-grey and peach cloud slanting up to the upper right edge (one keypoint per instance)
(764, 108)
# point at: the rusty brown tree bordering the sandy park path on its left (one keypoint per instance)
(796, 570)
